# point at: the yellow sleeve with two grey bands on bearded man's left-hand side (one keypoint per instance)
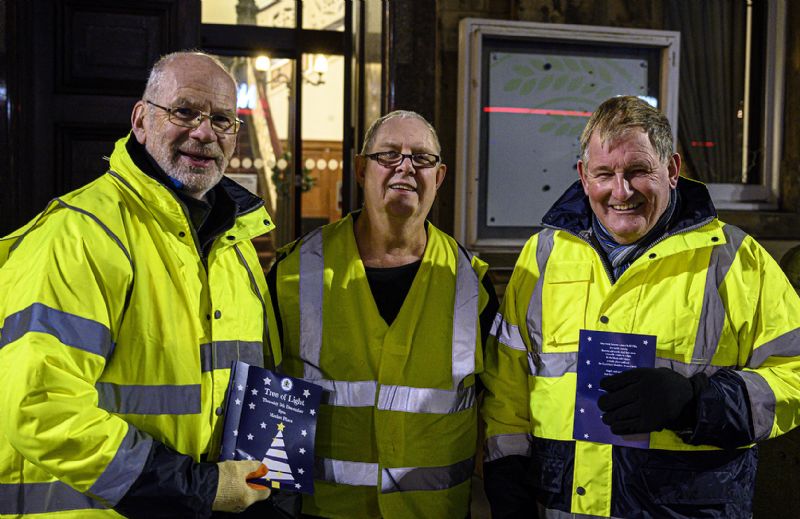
(63, 291)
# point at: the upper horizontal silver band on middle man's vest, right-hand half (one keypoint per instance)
(425, 400)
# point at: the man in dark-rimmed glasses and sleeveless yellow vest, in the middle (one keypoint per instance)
(388, 314)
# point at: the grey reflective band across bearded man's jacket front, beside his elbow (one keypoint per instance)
(164, 399)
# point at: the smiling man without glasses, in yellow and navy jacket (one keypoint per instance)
(634, 249)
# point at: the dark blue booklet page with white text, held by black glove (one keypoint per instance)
(601, 354)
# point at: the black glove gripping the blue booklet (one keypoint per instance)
(642, 400)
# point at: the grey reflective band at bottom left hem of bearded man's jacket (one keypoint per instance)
(42, 498)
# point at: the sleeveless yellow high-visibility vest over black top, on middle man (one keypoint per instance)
(396, 436)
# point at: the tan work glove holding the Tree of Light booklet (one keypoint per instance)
(234, 492)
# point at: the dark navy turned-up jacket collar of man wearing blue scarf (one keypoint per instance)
(572, 212)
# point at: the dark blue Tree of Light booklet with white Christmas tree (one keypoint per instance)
(272, 418)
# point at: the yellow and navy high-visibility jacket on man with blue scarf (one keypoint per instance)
(717, 303)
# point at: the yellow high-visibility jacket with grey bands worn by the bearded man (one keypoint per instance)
(116, 335)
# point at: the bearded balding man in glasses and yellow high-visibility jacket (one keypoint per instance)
(122, 306)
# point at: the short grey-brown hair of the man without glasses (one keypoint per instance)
(617, 116)
